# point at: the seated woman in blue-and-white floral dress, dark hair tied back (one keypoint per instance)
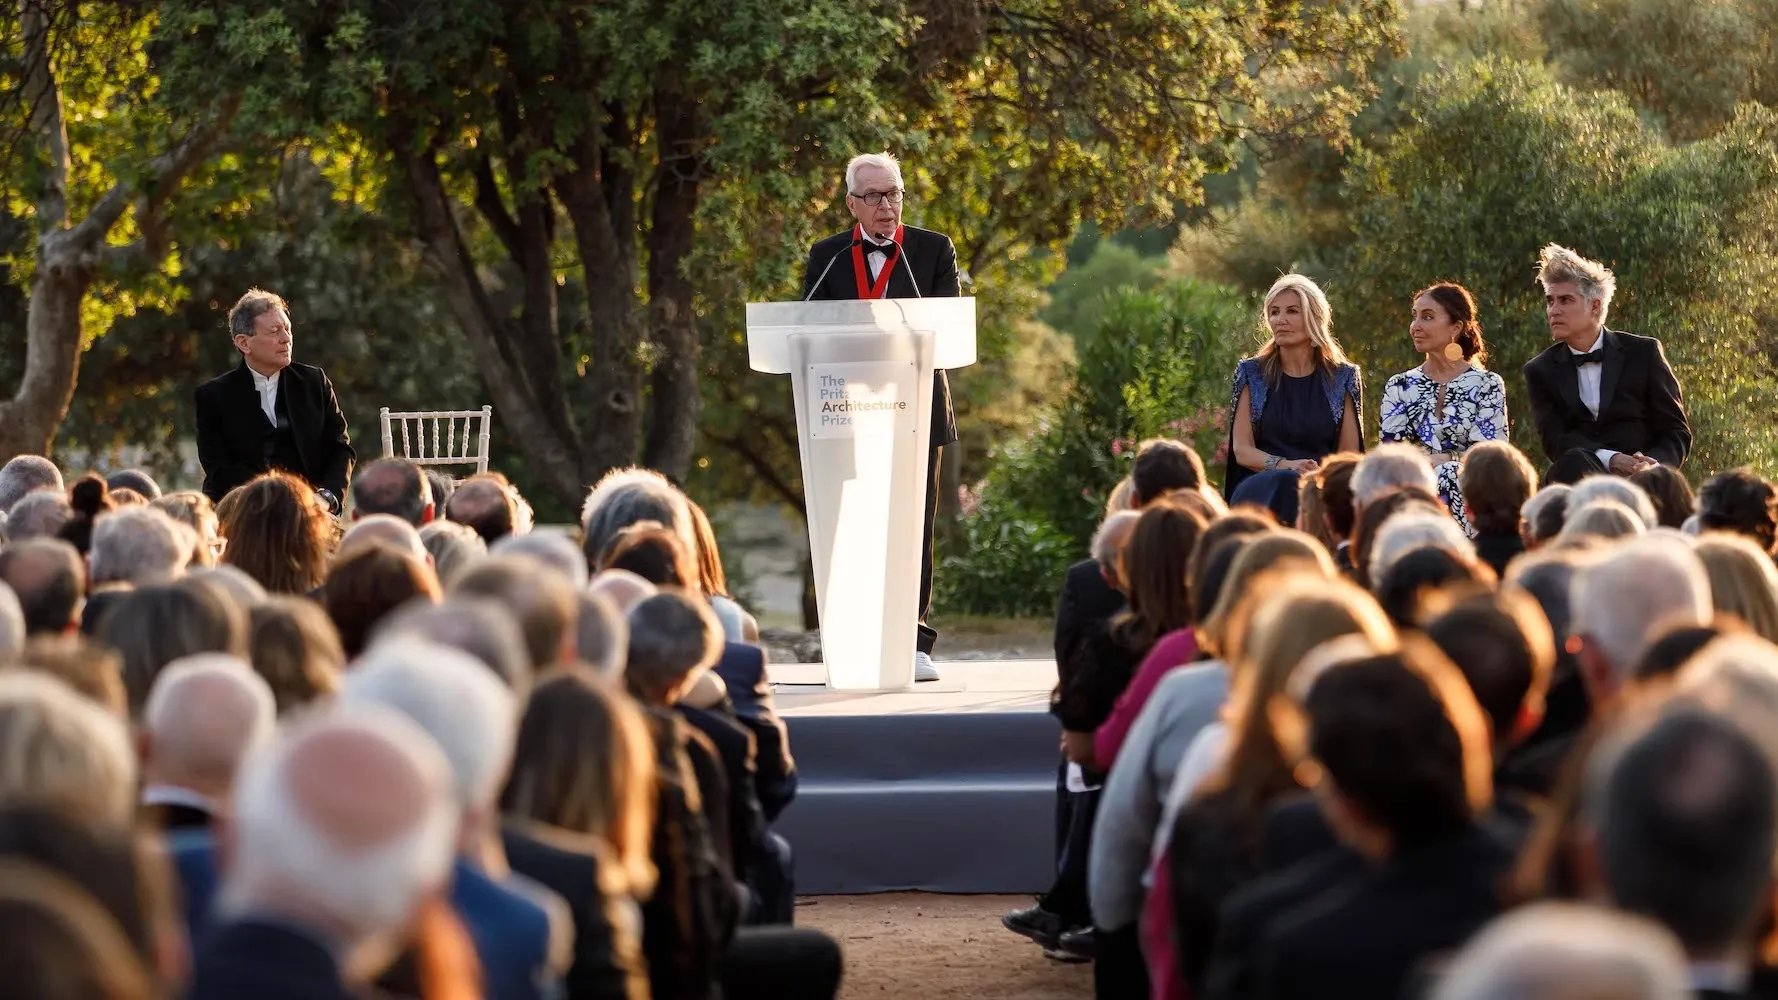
(1450, 403)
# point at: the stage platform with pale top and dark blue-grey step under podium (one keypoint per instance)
(945, 787)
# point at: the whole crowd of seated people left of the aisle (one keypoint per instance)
(259, 750)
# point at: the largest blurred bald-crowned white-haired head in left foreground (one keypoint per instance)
(348, 821)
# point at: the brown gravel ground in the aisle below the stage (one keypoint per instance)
(940, 948)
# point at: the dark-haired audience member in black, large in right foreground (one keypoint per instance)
(1402, 759)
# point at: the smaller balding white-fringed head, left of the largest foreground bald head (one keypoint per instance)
(202, 718)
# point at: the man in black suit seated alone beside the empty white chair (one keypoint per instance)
(271, 412)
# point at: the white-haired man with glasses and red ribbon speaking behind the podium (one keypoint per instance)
(881, 259)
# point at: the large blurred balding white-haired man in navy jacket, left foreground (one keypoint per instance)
(342, 834)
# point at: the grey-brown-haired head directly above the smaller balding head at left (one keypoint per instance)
(159, 625)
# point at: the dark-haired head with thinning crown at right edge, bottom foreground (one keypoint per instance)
(1686, 830)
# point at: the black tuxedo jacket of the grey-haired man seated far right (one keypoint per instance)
(1640, 407)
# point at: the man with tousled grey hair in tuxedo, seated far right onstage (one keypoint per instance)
(1603, 401)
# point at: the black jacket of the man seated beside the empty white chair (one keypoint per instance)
(232, 430)
